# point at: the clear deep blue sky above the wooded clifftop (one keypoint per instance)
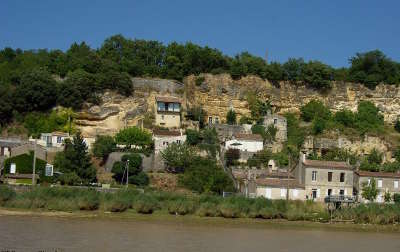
(325, 30)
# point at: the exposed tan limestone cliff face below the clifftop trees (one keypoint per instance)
(218, 93)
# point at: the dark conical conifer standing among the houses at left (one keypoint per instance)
(75, 158)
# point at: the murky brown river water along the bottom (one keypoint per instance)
(23, 233)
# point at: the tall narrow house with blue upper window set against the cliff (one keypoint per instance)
(168, 112)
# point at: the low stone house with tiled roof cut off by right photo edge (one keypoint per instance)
(385, 182)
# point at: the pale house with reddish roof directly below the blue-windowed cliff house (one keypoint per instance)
(163, 138)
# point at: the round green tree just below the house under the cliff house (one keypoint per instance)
(177, 157)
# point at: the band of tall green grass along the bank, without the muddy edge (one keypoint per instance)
(153, 202)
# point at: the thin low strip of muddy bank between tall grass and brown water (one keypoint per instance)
(192, 220)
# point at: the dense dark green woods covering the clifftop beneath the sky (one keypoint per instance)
(38, 80)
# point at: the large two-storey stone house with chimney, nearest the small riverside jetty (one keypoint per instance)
(324, 178)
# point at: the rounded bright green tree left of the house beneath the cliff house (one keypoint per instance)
(134, 136)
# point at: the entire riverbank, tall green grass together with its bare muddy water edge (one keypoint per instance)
(150, 205)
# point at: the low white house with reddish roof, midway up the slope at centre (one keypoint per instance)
(245, 142)
